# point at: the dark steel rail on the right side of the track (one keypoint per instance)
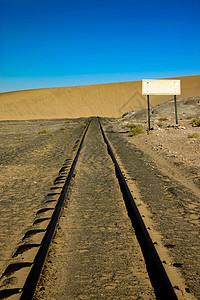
(158, 276)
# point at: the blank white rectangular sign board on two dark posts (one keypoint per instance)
(161, 87)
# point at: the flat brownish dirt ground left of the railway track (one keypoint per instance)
(30, 161)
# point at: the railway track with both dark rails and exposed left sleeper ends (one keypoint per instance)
(50, 215)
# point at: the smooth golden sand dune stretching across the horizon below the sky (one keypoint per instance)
(106, 100)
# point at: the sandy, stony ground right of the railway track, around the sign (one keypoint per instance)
(165, 165)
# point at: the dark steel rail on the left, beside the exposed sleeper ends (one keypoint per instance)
(34, 274)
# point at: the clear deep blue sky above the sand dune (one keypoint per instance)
(50, 43)
